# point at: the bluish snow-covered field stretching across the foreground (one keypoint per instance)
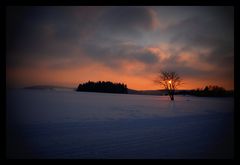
(69, 124)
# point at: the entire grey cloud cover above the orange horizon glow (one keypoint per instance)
(67, 36)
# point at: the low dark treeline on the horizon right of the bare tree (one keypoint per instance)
(209, 91)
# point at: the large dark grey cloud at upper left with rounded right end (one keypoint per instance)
(53, 32)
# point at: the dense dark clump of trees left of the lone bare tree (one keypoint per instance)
(102, 86)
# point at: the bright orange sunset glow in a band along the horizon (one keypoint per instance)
(72, 77)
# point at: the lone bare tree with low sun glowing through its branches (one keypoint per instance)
(170, 81)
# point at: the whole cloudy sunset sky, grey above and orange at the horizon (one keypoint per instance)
(68, 45)
